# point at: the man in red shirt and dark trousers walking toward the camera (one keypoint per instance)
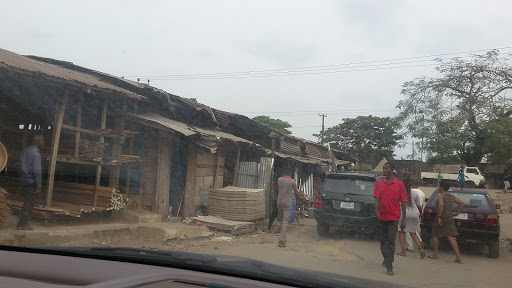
(389, 193)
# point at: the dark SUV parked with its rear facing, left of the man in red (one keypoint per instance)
(346, 201)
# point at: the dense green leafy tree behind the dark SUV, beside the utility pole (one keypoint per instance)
(368, 138)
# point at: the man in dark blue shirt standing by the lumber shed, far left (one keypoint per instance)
(30, 174)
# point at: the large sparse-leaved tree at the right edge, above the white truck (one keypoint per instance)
(464, 111)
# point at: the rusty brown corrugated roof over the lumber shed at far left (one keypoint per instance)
(18, 63)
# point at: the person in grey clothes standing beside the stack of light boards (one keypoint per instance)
(287, 188)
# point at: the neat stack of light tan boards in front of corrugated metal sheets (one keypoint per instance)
(235, 203)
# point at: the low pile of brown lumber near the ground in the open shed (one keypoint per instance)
(81, 194)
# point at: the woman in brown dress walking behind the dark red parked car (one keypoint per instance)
(444, 226)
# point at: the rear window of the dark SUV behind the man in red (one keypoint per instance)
(353, 185)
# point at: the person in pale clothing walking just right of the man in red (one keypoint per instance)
(412, 219)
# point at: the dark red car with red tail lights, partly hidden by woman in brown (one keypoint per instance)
(478, 221)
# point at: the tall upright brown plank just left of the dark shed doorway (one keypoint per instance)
(163, 182)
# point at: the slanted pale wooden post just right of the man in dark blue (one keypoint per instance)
(57, 127)
